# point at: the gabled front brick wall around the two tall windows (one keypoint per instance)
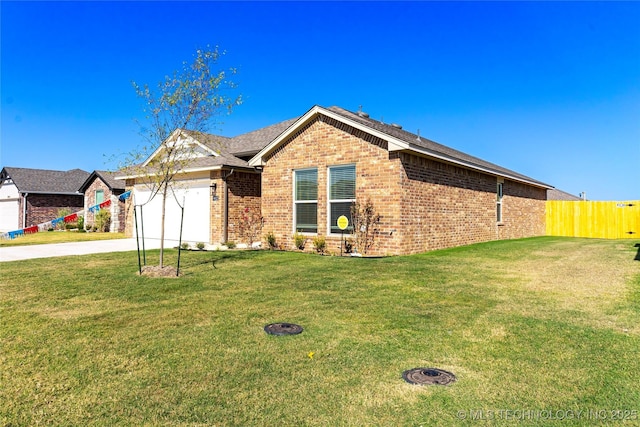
(321, 144)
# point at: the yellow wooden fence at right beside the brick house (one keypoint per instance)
(604, 220)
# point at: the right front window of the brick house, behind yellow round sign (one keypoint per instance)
(342, 194)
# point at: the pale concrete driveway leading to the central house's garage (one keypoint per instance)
(17, 253)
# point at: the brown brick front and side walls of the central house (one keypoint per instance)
(424, 204)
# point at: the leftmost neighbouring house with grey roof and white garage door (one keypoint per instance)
(32, 196)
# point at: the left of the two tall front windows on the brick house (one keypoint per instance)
(306, 201)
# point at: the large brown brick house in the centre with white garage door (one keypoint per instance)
(304, 173)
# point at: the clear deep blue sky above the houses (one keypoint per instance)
(548, 89)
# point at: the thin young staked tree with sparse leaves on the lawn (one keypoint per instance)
(193, 99)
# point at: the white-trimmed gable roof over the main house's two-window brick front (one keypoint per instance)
(398, 140)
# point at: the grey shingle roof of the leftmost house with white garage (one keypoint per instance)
(47, 181)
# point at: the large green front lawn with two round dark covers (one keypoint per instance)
(543, 324)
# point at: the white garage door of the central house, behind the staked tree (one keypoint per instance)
(196, 224)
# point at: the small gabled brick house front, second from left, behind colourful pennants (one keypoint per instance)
(102, 188)
